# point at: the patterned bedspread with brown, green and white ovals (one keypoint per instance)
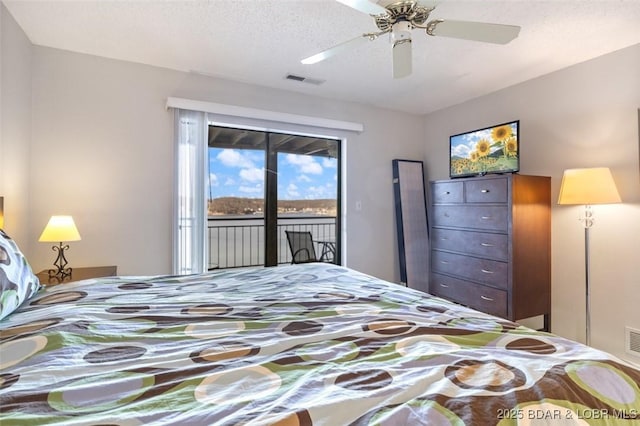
(302, 344)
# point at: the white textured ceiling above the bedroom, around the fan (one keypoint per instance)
(260, 41)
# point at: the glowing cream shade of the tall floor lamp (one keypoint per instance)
(588, 186)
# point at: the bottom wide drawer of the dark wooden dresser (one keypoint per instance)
(476, 296)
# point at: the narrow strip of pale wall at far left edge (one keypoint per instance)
(15, 126)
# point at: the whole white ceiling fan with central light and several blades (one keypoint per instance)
(399, 17)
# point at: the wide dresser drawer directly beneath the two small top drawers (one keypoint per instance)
(494, 218)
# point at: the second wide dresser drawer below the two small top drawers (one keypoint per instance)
(494, 246)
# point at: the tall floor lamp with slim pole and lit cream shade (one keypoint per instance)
(588, 186)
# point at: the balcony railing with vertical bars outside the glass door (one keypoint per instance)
(239, 241)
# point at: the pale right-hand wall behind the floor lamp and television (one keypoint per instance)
(583, 116)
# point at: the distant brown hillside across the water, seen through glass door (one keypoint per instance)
(239, 205)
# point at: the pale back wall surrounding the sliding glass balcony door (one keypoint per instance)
(102, 151)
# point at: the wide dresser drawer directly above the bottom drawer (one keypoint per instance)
(476, 269)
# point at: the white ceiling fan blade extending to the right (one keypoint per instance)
(478, 31)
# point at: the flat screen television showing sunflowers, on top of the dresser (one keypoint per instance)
(492, 149)
